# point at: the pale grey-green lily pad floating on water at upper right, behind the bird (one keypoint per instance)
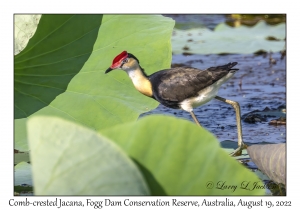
(225, 39)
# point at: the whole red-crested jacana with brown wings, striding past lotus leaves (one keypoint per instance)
(181, 87)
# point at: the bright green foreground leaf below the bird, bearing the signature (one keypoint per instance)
(179, 158)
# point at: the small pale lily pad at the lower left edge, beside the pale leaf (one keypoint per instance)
(23, 174)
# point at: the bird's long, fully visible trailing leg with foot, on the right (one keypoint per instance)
(236, 106)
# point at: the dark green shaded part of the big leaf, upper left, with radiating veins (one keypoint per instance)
(53, 56)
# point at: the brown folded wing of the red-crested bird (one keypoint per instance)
(172, 86)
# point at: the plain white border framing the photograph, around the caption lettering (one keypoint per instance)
(154, 6)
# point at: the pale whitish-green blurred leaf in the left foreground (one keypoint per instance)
(69, 159)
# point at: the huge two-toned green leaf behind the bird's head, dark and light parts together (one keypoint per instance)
(61, 71)
